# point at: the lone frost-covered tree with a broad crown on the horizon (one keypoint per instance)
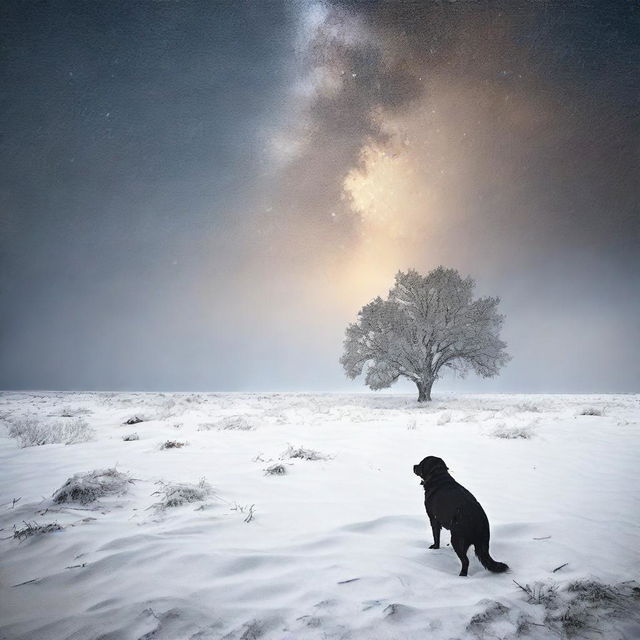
(428, 323)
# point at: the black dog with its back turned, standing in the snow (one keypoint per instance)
(451, 506)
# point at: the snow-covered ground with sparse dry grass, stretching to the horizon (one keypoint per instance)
(335, 547)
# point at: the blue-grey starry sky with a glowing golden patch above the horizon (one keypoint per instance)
(201, 195)
